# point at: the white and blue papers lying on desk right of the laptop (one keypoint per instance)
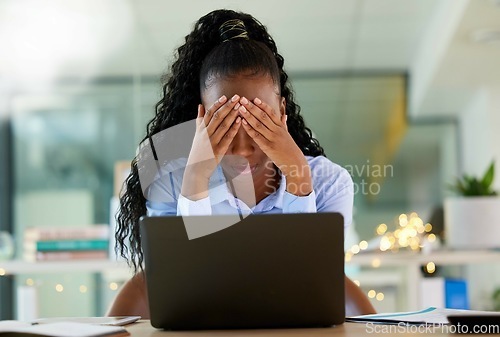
(430, 315)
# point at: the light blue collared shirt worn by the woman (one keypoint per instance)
(332, 192)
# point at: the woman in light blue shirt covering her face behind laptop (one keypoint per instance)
(262, 158)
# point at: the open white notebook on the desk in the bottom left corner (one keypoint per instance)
(61, 329)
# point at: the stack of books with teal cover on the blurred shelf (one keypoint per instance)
(66, 243)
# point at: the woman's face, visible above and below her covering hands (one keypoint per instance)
(243, 150)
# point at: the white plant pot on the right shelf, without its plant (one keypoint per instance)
(472, 222)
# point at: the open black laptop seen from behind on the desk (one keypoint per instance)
(265, 271)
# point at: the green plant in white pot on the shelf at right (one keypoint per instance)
(472, 219)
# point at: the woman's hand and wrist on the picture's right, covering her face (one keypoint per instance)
(269, 130)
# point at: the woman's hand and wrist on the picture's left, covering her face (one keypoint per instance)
(216, 128)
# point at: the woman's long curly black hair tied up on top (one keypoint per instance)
(205, 54)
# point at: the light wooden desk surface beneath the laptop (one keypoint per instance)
(144, 328)
